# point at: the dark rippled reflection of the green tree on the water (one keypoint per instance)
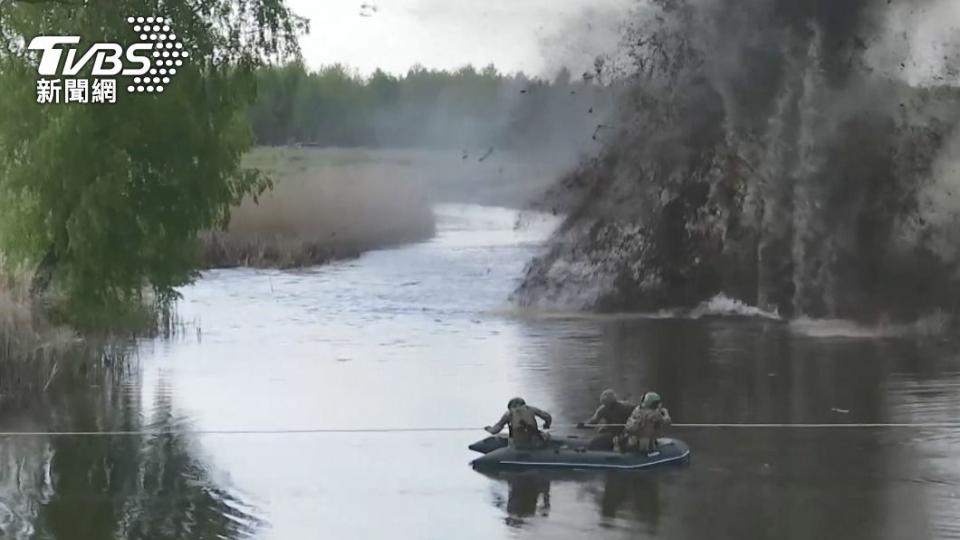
(109, 487)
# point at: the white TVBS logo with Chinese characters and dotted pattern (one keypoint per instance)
(148, 64)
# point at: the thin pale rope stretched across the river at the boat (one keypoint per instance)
(927, 425)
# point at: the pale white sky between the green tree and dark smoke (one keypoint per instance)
(533, 36)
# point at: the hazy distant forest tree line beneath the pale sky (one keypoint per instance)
(334, 106)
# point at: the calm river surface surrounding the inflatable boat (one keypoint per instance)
(422, 336)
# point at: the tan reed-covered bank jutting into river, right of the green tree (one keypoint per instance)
(325, 204)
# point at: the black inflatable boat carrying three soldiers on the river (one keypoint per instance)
(570, 452)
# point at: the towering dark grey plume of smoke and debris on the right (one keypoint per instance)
(795, 154)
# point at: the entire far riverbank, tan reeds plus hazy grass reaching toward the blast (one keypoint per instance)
(335, 203)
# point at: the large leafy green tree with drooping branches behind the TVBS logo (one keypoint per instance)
(107, 200)
